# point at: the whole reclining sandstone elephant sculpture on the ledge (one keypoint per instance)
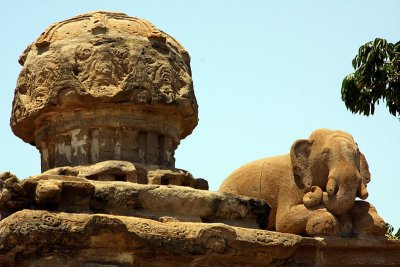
(312, 191)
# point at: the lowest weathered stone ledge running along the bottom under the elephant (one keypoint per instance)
(42, 238)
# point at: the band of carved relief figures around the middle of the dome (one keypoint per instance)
(103, 67)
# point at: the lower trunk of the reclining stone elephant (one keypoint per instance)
(339, 196)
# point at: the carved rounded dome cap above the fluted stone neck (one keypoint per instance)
(105, 59)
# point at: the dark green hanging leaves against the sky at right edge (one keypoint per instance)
(376, 76)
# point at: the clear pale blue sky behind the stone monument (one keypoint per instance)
(265, 74)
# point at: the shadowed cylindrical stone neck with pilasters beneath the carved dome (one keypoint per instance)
(88, 137)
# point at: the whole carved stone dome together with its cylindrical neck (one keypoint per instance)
(104, 86)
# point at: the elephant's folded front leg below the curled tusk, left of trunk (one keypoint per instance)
(312, 222)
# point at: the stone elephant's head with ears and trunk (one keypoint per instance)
(332, 161)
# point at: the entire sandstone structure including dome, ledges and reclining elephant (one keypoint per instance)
(106, 99)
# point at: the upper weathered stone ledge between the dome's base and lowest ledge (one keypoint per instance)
(158, 202)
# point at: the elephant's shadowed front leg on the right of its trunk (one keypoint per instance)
(366, 220)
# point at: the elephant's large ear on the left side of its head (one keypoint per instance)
(299, 154)
